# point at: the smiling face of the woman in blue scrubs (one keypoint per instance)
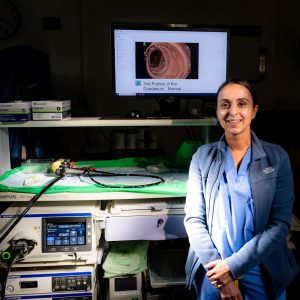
(235, 109)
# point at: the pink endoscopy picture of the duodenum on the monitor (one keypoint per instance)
(167, 60)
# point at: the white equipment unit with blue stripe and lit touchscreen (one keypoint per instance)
(65, 233)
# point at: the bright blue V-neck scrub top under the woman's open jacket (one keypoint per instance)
(233, 214)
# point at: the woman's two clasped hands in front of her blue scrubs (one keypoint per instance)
(221, 277)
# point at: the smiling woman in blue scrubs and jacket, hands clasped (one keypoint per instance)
(238, 208)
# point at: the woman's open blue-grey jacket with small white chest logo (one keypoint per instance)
(271, 182)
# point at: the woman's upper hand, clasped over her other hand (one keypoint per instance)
(218, 273)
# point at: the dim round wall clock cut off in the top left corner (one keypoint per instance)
(10, 19)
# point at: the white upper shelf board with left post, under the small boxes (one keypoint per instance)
(5, 164)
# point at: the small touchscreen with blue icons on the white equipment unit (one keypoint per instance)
(66, 234)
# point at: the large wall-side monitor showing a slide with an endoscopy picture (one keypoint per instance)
(168, 61)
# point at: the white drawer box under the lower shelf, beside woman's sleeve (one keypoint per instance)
(145, 219)
